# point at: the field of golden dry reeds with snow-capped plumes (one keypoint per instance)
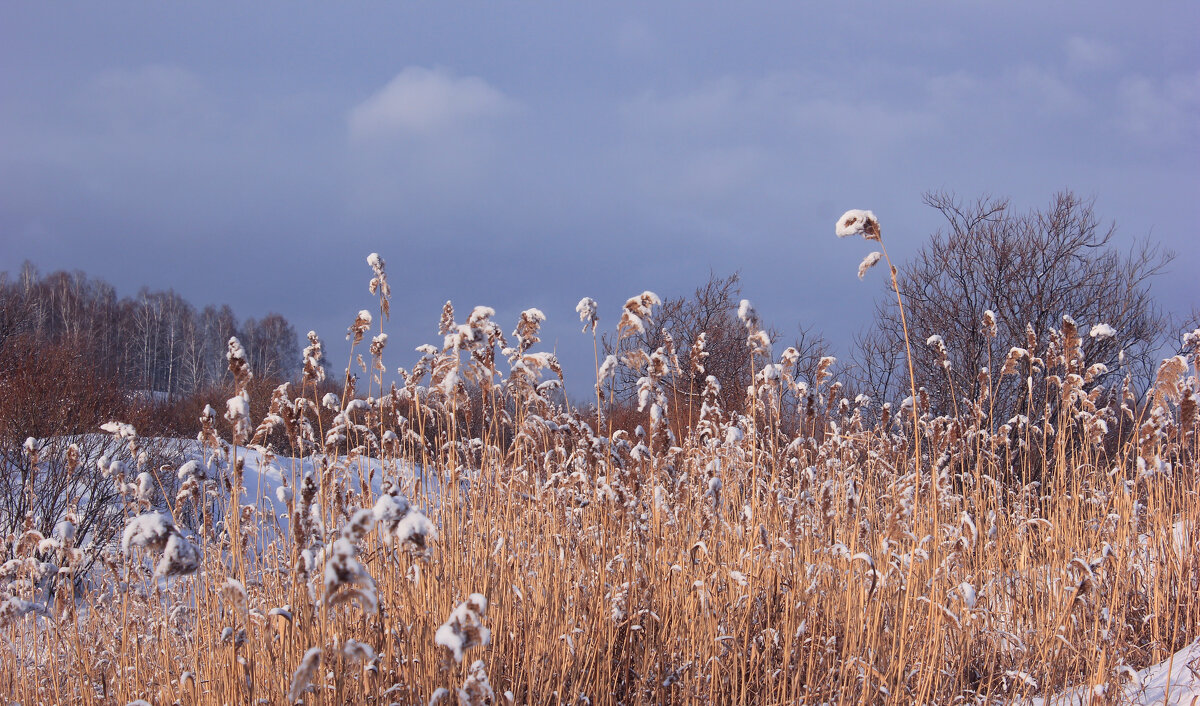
(466, 536)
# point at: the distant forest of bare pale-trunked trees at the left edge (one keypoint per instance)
(154, 343)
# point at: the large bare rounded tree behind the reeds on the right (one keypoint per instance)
(1030, 270)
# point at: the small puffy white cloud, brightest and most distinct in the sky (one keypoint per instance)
(427, 101)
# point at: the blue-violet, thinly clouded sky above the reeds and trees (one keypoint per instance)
(527, 155)
